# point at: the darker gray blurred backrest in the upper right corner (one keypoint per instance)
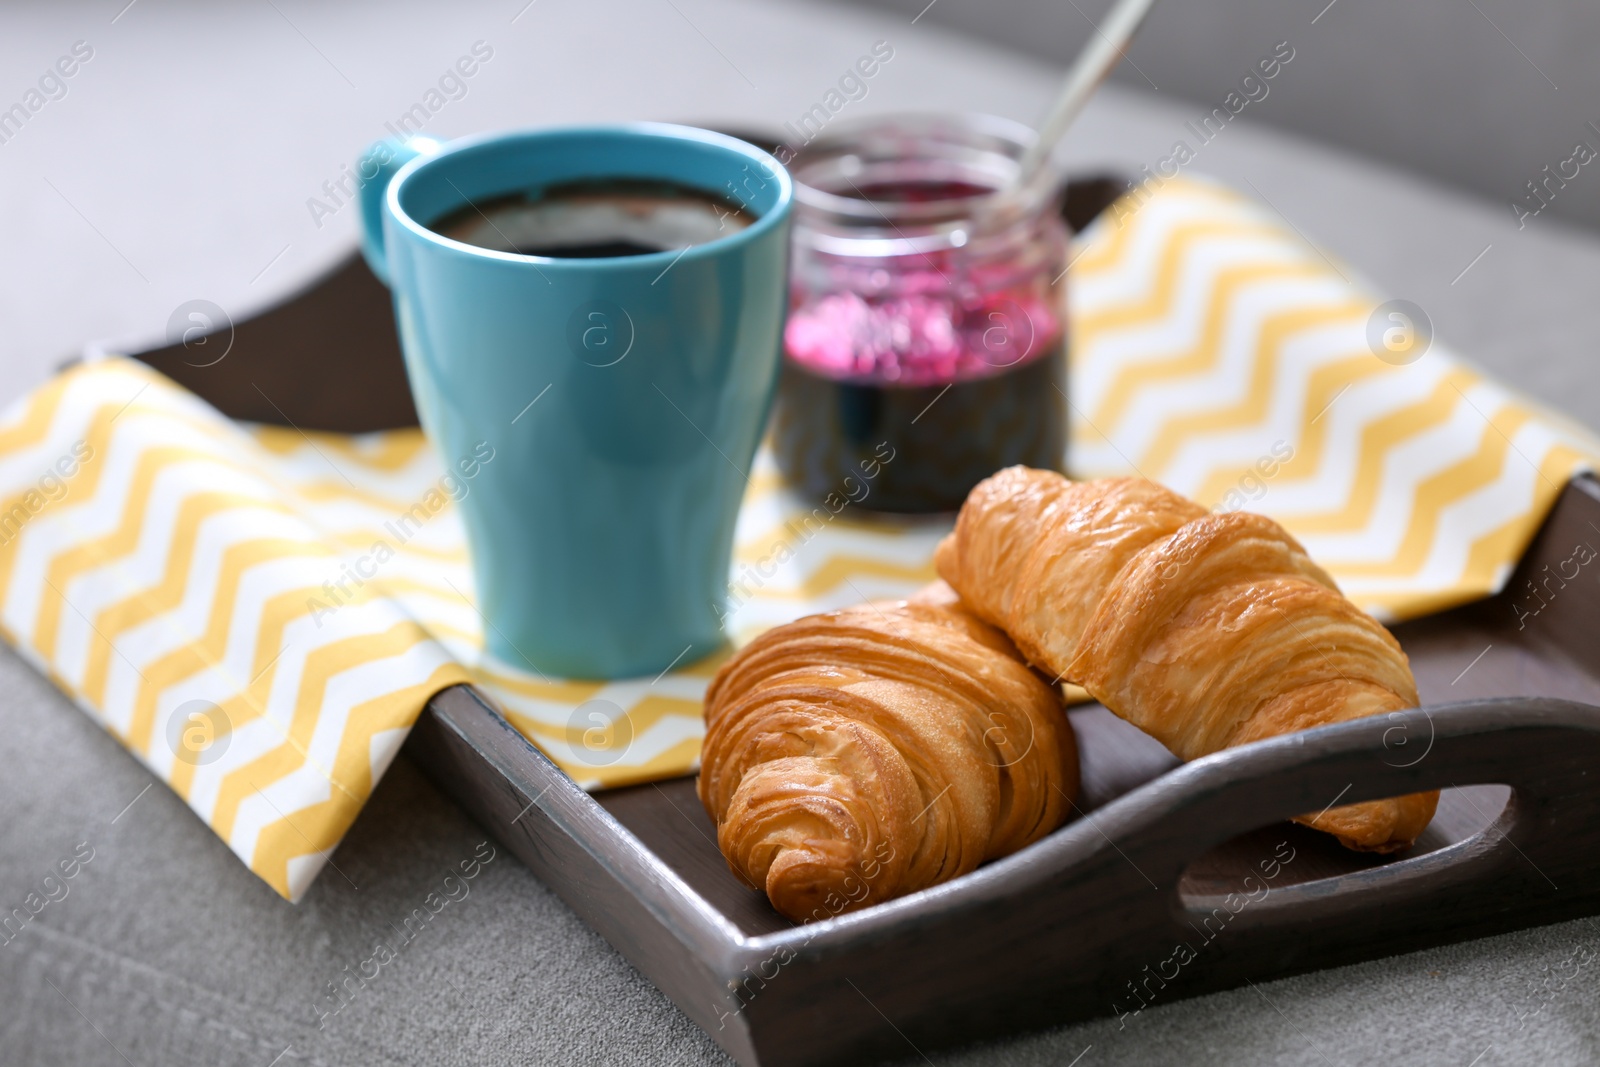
(1474, 94)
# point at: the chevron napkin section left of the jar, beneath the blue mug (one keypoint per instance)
(260, 615)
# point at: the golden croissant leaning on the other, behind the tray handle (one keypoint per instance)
(1206, 631)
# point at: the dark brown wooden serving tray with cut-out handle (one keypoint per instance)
(1170, 882)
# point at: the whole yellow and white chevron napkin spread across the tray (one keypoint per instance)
(260, 615)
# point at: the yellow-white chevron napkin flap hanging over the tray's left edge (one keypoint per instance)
(156, 565)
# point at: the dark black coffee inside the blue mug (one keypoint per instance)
(596, 220)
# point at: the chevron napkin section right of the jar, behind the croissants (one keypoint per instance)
(1220, 354)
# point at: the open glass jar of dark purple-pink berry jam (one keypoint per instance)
(926, 346)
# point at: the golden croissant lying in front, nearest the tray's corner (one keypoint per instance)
(863, 754)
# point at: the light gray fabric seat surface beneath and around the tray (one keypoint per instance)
(178, 167)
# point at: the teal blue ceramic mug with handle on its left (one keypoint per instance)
(623, 398)
